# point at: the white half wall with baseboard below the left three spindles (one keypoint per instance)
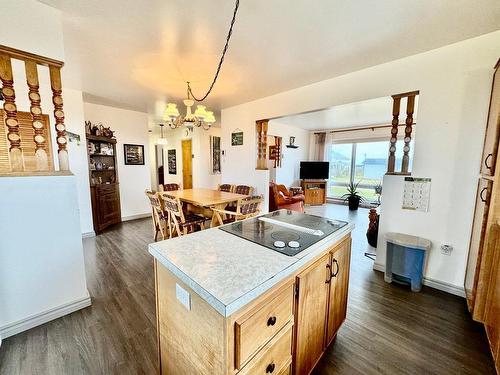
(42, 274)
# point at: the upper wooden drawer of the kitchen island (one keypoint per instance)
(253, 330)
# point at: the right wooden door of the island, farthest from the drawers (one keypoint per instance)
(337, 303)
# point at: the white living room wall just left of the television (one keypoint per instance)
(288, 173)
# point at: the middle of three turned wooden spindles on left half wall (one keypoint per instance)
(42, 163)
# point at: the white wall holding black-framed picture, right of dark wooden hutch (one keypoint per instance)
(130, 127)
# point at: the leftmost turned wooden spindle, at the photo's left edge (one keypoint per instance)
(9, 105)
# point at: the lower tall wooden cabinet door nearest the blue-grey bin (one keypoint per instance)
(476, 241)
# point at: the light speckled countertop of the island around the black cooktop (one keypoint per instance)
(228, 271)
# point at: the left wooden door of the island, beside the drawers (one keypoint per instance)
(310, 315)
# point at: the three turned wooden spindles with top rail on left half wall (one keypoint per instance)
(15, 151)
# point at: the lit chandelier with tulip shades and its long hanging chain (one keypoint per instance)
(201, 117)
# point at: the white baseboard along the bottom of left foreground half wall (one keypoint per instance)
(43, 317)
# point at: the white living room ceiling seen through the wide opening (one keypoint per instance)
(352, 115)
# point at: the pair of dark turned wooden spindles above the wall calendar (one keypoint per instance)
(410, 108)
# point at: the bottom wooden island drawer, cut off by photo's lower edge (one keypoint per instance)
(275, 357)
